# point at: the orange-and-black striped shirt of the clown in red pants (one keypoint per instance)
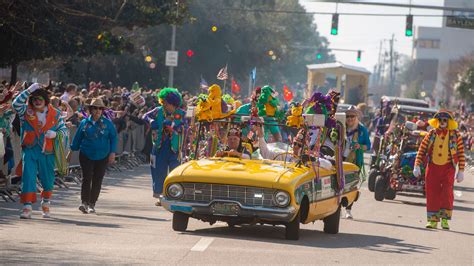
(427, 143)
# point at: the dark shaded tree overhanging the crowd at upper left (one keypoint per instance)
(38, 29)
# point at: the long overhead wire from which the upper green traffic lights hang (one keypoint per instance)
(322, 13)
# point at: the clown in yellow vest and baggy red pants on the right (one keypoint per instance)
(442, 149)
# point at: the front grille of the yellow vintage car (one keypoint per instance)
(247, 196)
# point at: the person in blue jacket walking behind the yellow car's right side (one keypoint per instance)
(357, 142)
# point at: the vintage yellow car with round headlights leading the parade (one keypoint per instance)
(242, 191)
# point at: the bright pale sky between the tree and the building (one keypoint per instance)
(365, 32)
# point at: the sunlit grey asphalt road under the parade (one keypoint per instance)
(128, 229)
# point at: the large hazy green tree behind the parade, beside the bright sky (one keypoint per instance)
(245, 34)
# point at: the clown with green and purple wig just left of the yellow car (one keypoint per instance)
(166, 123)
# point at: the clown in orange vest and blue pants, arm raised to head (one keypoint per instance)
(40, 124)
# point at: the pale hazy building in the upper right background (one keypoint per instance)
(434, 48)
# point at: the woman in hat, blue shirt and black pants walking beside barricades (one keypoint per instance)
(96, 139)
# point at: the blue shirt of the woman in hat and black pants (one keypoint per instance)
(96, 140)
